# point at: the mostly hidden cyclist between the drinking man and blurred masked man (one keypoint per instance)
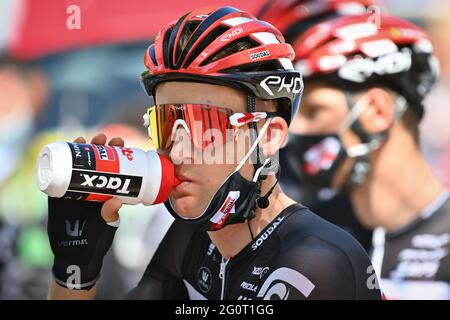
(293, 18)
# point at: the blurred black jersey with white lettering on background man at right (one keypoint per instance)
(414, 261)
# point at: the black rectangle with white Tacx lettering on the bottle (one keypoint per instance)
(105, 183)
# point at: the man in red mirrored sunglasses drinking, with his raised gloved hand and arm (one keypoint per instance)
(222, 81)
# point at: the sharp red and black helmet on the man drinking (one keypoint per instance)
(230, 47)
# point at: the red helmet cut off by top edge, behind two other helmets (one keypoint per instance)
(293, 17)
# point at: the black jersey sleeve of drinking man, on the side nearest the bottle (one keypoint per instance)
(163, 277)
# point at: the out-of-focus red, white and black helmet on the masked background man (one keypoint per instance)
(356, 52)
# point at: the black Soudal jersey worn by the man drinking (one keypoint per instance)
(297, 256)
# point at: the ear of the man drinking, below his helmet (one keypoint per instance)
(275, 136)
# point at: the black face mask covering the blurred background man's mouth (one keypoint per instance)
(314, 159)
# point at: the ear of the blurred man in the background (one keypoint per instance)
(380, 111)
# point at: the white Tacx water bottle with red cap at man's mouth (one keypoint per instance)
(97, 173)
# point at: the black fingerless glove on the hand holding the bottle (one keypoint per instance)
(79, 239)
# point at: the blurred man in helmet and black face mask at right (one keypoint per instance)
(357, 133)
